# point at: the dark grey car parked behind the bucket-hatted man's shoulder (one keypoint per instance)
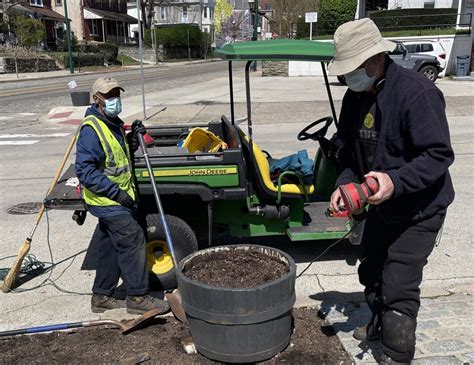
(425, 64)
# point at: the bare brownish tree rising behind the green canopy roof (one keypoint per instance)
(286, 13)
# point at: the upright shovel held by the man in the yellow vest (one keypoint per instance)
(174, 298)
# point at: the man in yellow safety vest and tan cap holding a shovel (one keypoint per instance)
(103, 166)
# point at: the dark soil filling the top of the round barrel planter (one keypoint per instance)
(235, 268)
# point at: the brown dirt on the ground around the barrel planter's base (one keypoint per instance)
(312, 342)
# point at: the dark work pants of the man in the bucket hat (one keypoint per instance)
(394, 255)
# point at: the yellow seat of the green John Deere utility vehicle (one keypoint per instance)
(262, 168)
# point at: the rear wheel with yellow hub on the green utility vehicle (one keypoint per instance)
(159, 260)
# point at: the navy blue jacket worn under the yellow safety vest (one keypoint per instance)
(90, 157)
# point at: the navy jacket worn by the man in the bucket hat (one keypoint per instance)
(413, 147)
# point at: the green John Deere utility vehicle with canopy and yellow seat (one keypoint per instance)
(228, 190)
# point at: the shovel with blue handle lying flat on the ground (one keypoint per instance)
(125, 327)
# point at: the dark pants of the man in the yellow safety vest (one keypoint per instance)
(122, 253)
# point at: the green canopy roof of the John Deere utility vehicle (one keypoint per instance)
(277, 49)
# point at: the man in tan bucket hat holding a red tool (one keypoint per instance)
(393, 127)
